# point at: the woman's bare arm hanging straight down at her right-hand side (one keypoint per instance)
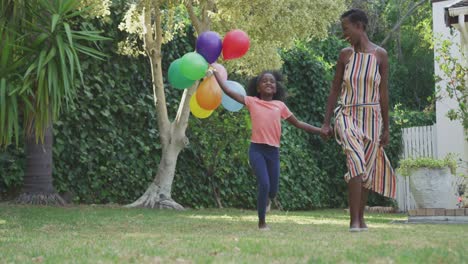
(383, 69)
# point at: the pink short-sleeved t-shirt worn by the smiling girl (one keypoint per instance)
(266, 119)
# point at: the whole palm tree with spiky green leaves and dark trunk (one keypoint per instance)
(39, 58)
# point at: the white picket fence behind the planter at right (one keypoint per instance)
(417, 142)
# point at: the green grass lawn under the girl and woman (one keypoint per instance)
(98, 234)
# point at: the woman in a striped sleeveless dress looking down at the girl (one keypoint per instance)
(361, 122)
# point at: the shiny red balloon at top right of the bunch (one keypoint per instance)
(235, 44)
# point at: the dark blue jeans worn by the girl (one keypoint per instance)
(264, 160)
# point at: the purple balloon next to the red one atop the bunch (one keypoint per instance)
(209, 45)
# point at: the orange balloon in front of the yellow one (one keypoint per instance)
(209, 94)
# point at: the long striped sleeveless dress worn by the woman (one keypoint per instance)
(358, 125)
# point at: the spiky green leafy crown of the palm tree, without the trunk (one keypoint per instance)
(43, 41)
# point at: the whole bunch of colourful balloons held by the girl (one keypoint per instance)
(185, 71)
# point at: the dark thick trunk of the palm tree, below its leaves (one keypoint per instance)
(38, 187)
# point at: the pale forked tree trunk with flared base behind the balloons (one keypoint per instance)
(172, 134)
